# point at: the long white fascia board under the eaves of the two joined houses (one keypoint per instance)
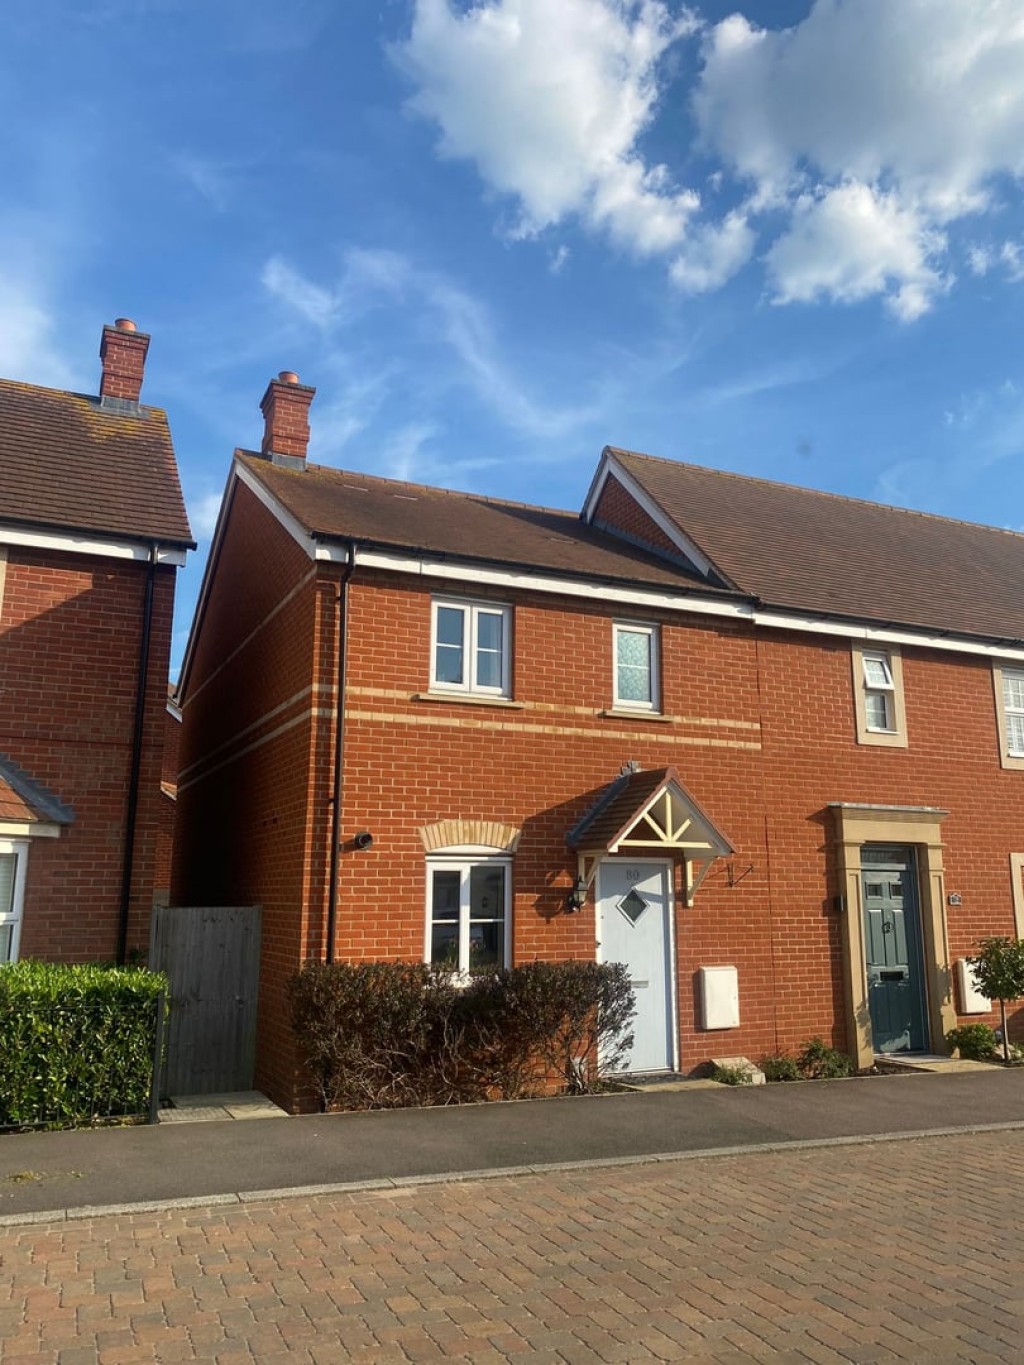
(686, 604)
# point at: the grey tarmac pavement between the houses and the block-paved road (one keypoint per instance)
(54, 1172)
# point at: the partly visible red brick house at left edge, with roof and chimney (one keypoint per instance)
(92, 530)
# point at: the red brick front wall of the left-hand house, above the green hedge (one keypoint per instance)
(69, 665)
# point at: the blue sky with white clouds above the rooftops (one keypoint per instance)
(783, 238)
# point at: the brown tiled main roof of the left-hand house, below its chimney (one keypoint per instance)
(69, 463)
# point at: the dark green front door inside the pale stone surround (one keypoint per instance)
(894, 949)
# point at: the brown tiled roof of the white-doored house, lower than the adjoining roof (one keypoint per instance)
(464, 526)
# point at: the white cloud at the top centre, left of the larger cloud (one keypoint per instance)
(550, 103)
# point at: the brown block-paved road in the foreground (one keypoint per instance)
(906, 1251)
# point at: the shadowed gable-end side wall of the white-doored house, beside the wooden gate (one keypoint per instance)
(255, 766)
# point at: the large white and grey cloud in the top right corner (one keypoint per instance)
(872, 126)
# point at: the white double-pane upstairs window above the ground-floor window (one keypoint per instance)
(470, 649)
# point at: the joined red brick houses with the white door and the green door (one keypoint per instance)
(764, 745)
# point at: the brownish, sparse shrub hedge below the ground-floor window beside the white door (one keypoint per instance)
(383, 1035)
